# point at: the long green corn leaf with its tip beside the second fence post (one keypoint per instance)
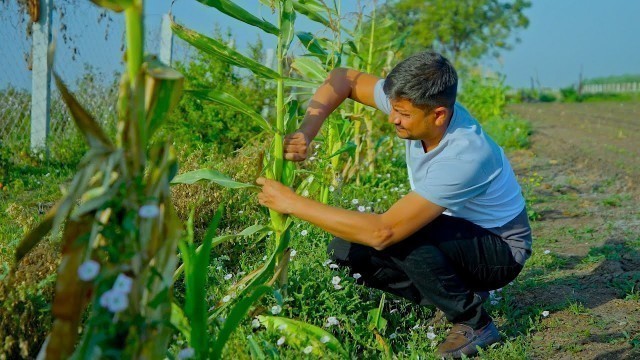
(222, 51)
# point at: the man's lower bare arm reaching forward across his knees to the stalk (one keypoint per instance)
(379, 231)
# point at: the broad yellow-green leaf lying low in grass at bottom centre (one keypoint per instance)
(300, 334)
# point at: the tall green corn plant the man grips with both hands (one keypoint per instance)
(251, 288)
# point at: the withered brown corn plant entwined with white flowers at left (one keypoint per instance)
(120, 228)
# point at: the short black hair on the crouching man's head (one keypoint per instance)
(427, 79)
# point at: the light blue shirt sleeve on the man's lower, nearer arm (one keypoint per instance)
(450, 183)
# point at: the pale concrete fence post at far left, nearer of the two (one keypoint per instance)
(41, 78)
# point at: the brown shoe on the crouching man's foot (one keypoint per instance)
(463, 340)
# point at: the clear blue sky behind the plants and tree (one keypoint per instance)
(564, 37)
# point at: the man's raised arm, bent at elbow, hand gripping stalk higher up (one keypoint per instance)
(339, 85)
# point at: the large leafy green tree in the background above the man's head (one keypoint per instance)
(463, 30)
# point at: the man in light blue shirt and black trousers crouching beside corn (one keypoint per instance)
(461, 231)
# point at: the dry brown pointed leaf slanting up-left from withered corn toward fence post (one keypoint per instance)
(87, 126)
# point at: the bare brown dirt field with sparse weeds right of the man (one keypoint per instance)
(584, 167)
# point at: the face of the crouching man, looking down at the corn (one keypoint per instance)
(411, 122)
